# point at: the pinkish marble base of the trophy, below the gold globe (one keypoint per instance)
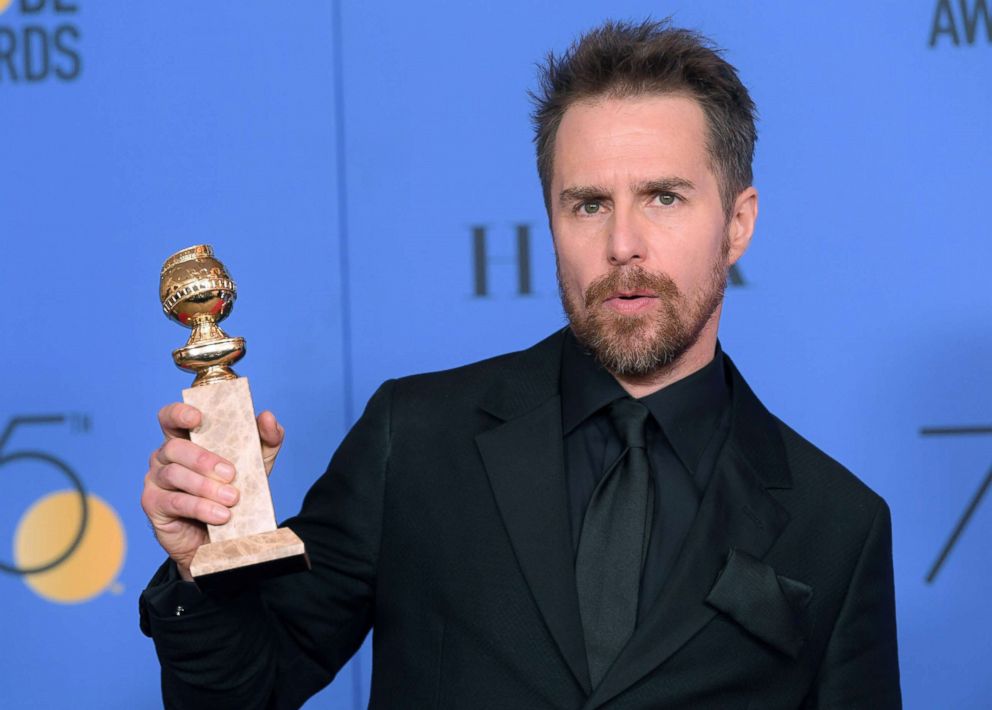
(249, 546)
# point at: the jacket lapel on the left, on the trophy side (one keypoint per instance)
(524, 461)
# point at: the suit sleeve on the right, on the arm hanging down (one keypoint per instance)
(860, 668)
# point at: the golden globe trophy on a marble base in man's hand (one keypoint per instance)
(197, 291)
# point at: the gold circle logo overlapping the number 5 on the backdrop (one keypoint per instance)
(49, 526)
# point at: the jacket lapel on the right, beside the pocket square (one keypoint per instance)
(736, 512)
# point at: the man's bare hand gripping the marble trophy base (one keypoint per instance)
(187, 486)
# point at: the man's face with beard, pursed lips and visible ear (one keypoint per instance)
(641, 237)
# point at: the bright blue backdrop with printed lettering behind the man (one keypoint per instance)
(349, 160)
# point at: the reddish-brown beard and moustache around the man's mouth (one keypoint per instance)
(639, 345)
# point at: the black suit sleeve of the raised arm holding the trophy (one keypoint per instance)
(276, 644)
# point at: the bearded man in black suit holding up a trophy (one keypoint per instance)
(608, 519)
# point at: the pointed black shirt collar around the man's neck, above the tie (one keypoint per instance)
(688, 411)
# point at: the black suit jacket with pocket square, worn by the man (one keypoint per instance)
(442, 524)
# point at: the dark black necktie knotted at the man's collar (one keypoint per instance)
(613, 543)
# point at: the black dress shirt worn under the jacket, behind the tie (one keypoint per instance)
(688, 425)
